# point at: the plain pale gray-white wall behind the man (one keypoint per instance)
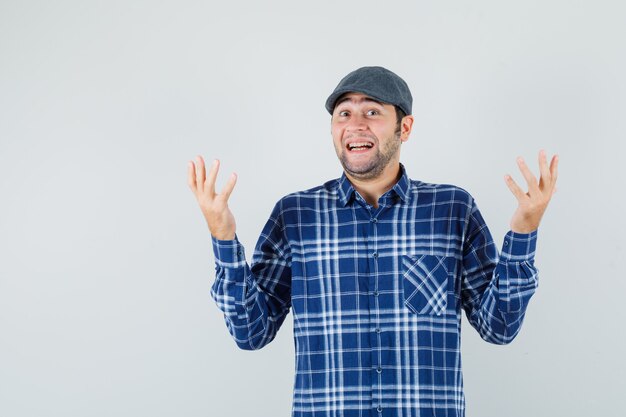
(105, 258)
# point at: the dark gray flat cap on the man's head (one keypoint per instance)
(376, 82)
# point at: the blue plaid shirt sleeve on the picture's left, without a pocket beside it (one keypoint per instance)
(254, 299)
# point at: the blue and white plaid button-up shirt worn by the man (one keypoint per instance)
(376, 294)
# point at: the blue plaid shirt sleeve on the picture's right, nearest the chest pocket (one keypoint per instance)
(496, 288)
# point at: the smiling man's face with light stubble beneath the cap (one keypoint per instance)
(364, 135)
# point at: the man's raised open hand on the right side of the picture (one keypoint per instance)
(533, 204)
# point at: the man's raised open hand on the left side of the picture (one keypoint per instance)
(214, 206)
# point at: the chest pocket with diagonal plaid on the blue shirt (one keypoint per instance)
(425, 281)
